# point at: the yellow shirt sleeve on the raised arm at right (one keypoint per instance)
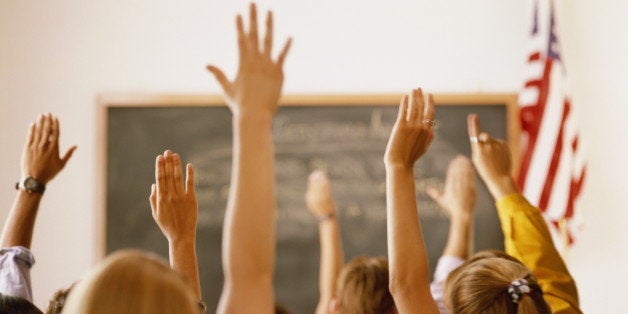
(527, 238)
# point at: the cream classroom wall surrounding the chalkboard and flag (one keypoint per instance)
(58, 56)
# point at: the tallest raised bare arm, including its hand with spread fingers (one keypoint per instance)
(249, 228)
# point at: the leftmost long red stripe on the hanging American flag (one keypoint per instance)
(531, 118)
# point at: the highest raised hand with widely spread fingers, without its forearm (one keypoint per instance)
(257, 85)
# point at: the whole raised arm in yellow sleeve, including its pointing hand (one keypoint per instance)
(526, 236)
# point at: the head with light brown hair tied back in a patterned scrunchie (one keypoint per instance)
(485, 285)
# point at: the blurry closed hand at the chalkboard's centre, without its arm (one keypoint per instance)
(318, 196)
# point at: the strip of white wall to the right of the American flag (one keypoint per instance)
(595, 37)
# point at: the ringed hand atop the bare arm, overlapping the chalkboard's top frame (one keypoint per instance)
(413, 131)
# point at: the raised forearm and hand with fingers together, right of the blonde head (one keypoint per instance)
(175, 210)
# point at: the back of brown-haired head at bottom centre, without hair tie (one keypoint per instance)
(363, 287)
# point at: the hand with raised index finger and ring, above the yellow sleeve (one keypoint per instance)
(492, 160)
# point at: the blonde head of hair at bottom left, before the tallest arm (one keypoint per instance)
(131, 281)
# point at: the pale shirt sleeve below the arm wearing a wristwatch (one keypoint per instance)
(15, 267)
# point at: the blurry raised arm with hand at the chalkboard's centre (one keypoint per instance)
(320, 202)
